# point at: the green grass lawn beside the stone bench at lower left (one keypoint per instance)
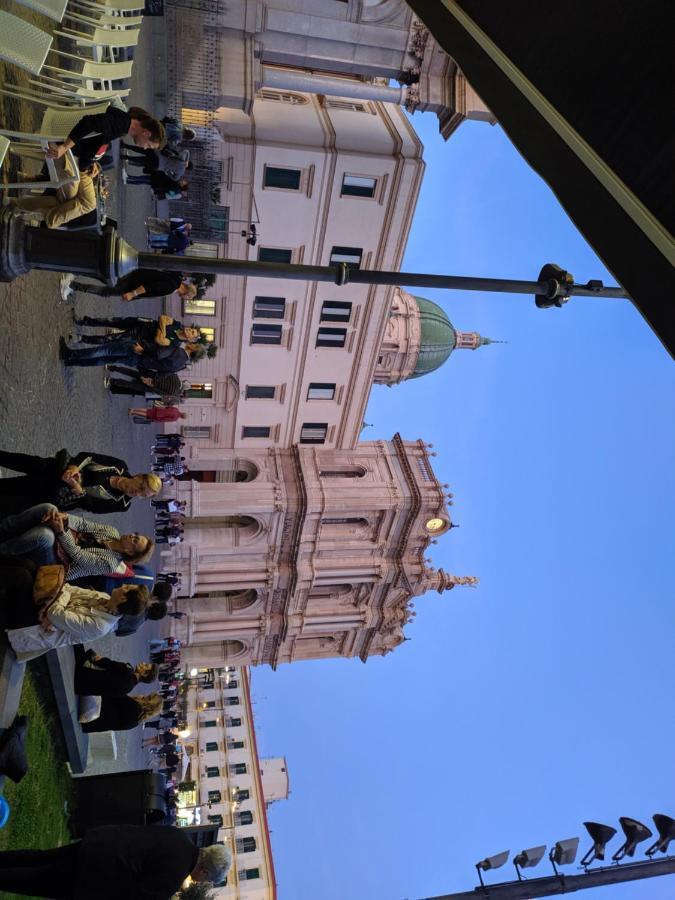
(38, 818)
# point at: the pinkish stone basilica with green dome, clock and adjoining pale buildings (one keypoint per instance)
(303, 541)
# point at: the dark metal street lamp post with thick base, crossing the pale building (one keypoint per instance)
(108, 257)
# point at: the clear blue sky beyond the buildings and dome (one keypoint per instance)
(543, 698)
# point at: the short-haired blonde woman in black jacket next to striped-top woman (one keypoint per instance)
(90, 481)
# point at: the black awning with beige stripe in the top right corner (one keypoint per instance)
(603, 138)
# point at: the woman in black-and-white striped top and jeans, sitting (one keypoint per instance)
(47, 537)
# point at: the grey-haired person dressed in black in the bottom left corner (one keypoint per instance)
(136, 862)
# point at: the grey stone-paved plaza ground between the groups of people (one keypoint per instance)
(45, 406)
